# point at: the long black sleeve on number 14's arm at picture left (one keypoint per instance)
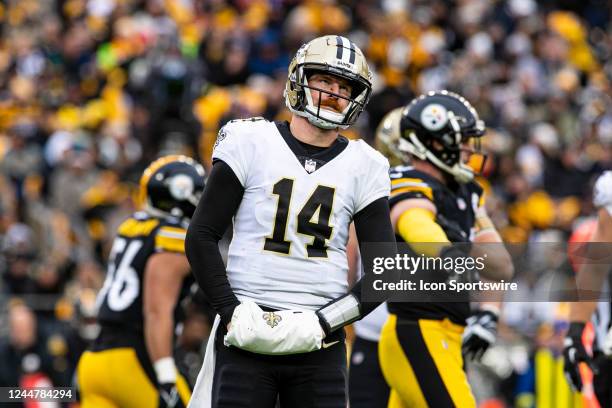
(212, 217)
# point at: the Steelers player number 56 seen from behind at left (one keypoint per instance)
(130, 363)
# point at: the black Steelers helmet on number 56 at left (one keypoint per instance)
(172, 186)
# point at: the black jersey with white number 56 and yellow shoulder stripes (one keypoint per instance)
(120, 300)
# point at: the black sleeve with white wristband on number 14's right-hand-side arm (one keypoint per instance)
(372, 224)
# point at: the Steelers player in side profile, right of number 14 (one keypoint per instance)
(436, 200)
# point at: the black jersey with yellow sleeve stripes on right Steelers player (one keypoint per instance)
(456, 214)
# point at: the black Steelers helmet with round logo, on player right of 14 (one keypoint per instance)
(436, 127)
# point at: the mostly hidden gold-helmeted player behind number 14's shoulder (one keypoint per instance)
(367, 386)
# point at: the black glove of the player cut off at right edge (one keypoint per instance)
(573, 354)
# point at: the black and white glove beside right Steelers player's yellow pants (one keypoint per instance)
(479, 334)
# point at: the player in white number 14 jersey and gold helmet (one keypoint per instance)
(292, 189)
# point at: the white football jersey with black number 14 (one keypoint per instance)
(290, 231)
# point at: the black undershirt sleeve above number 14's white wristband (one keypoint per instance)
(373, 224)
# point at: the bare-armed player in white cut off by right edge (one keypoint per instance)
(591, 279)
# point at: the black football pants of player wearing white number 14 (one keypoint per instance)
(310, 380)
